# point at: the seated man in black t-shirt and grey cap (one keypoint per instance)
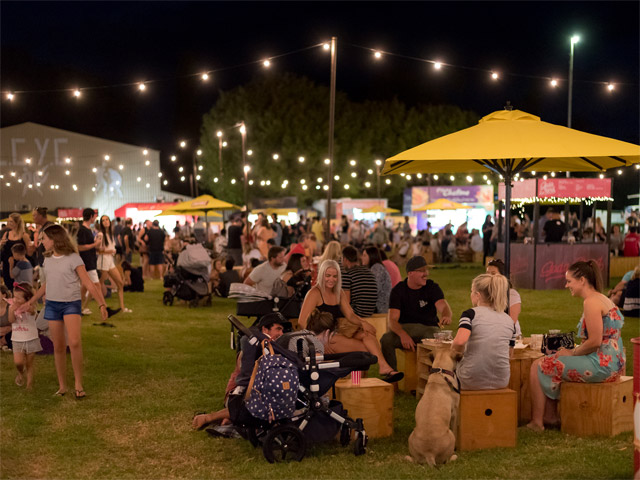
(413, 311)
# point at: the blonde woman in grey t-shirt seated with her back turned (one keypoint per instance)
(486, 336)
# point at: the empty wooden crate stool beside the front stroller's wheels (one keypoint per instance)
(372, 401)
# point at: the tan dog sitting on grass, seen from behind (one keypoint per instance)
(433, 440)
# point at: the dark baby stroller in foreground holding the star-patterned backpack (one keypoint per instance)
(314, 419)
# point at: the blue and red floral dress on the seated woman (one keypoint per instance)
(604, 365)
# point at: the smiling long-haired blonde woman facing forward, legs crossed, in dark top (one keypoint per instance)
(352, 333)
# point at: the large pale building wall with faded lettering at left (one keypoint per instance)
(93, 181)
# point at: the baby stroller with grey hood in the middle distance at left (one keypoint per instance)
(190, 281)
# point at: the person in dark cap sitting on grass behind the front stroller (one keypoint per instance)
(269, 325)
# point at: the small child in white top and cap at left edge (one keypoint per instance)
(26, 342)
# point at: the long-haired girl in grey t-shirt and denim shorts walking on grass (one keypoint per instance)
(64, 274)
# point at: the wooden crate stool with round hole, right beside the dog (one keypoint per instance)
(487, 419)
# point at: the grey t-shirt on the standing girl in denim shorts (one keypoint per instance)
(63, 283)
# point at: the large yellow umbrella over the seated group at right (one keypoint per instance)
(508, 142)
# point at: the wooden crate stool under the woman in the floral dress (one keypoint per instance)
(597, 408)
